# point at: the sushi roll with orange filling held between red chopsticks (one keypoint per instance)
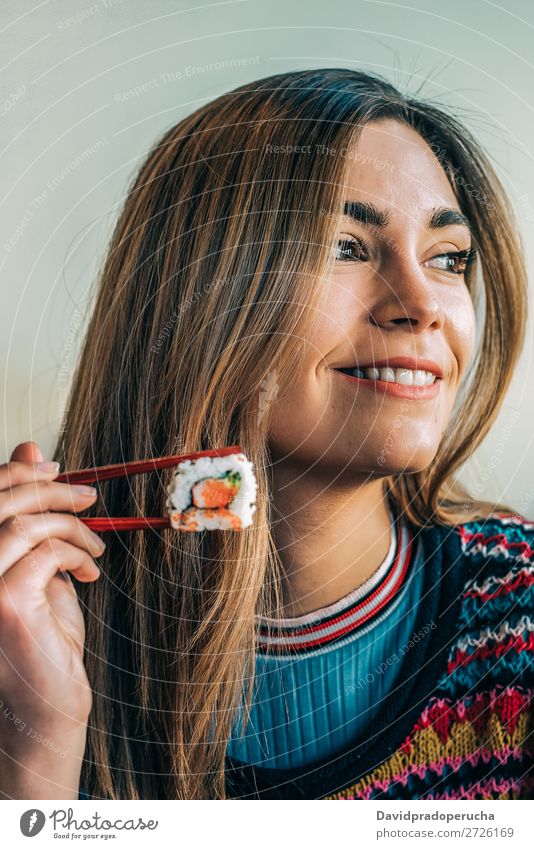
(212, 493)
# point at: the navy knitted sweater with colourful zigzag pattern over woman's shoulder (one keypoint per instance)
(459, 725)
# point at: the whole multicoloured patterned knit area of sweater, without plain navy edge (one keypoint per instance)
(467, 728)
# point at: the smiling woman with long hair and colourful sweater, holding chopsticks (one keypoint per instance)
(280, 238)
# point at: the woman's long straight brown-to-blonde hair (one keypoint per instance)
(208, 285)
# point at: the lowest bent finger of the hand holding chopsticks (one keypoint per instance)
(28, 578)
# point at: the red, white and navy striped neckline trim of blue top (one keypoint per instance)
(302, 634)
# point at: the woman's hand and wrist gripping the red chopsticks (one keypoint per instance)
(45, 697)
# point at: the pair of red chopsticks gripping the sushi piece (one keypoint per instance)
(135, 467)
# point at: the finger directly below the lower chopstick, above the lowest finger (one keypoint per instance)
(20, 533)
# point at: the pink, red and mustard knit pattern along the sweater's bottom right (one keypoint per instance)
(485, 732)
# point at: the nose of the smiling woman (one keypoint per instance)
(407, 297)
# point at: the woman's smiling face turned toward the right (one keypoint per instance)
(393, 301)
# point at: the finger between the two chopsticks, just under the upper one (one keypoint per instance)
(39, 496)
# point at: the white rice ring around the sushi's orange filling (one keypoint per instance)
(188, 472)
